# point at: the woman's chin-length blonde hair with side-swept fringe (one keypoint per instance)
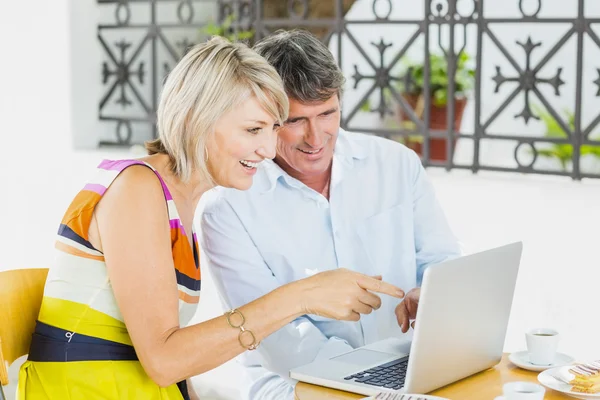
(209, 81)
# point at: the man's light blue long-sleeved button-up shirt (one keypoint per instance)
(382, 219)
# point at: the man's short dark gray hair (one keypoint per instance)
(306, 66)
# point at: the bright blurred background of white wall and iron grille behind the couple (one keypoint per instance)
(500, 99)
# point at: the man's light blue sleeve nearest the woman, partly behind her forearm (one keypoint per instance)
(241, 275)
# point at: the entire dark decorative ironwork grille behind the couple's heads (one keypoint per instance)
(447, 27)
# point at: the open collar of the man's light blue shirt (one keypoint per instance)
(347, 150)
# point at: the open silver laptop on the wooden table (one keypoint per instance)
(460, 330)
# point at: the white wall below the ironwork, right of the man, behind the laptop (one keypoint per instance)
(558, 221)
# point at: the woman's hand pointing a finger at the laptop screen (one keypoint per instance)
(343, 294)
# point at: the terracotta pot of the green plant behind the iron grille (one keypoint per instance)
(438, 117)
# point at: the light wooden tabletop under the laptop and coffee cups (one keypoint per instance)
(484, 385)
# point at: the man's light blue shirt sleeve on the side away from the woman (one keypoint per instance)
(434, 240)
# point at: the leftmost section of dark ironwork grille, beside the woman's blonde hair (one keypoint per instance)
(138, 55)
